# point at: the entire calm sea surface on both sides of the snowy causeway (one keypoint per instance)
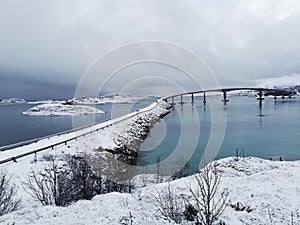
(272, 131)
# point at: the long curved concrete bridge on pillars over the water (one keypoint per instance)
(261, 92)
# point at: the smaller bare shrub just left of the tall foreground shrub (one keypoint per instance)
(169, 205)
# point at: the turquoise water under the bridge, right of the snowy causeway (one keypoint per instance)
(273, 130)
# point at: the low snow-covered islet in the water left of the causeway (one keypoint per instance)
(61, 110)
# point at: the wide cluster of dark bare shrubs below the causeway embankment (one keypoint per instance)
(77, 177)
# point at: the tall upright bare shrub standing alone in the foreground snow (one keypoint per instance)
(205, 200)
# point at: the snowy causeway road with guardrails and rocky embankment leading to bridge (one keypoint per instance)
(117, 133)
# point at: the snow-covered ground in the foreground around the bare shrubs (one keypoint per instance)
(267, 187)
